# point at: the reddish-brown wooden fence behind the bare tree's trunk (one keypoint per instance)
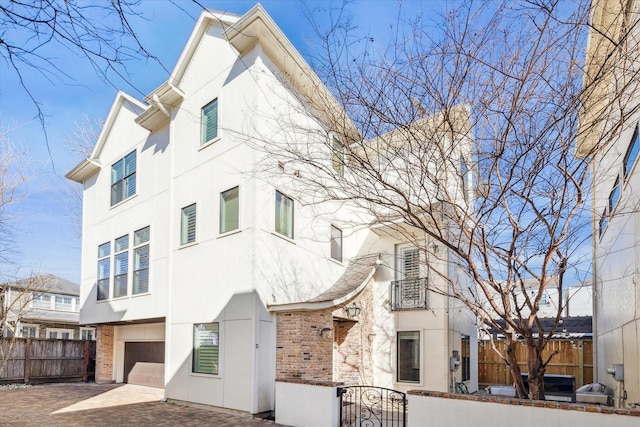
(573, 358)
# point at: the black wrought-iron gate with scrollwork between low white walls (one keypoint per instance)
(362, 406)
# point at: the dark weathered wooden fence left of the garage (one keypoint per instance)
(35, 360)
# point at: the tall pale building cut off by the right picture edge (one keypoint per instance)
(615, 180)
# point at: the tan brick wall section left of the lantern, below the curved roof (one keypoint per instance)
(301, 352)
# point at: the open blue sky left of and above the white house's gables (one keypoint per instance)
(46, 238)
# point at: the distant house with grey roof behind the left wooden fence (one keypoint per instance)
(42, 307)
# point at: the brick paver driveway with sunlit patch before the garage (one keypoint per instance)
(95, 405)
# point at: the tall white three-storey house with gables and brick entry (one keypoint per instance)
(214, 276)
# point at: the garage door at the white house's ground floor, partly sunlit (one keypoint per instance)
(144, 363)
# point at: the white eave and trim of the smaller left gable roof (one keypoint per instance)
(89, 166)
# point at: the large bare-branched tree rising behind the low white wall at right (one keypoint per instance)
(513, 209)
